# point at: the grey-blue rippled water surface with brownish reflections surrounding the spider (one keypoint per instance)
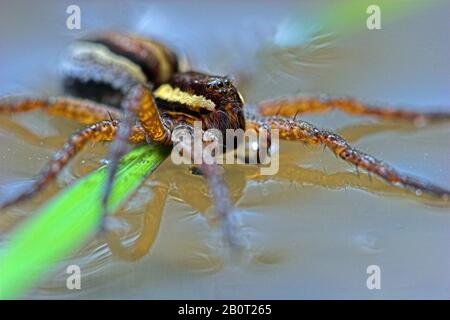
(315, 227)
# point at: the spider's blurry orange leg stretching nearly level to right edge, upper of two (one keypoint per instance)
(300, 105)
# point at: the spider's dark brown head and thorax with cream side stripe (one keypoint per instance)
(213, 98)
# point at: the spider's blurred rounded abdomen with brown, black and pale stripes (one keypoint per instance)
(104, 68)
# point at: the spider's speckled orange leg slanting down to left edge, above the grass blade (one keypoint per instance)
(100, 131)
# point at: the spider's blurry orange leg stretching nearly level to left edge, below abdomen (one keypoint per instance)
(80, 110)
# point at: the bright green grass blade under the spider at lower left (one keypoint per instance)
(65, 223)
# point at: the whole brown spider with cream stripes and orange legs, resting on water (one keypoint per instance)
(115, 69)
